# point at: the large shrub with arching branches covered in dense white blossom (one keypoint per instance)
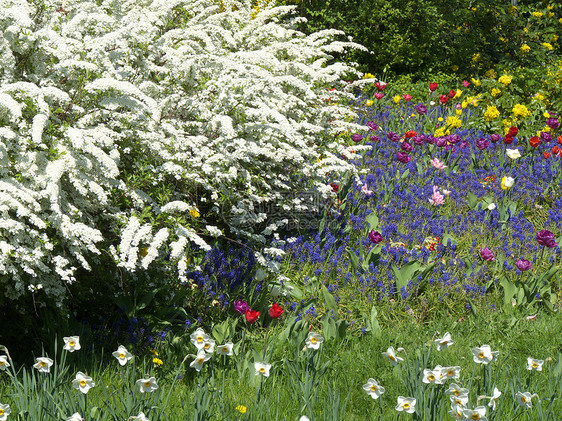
(148, 128)
